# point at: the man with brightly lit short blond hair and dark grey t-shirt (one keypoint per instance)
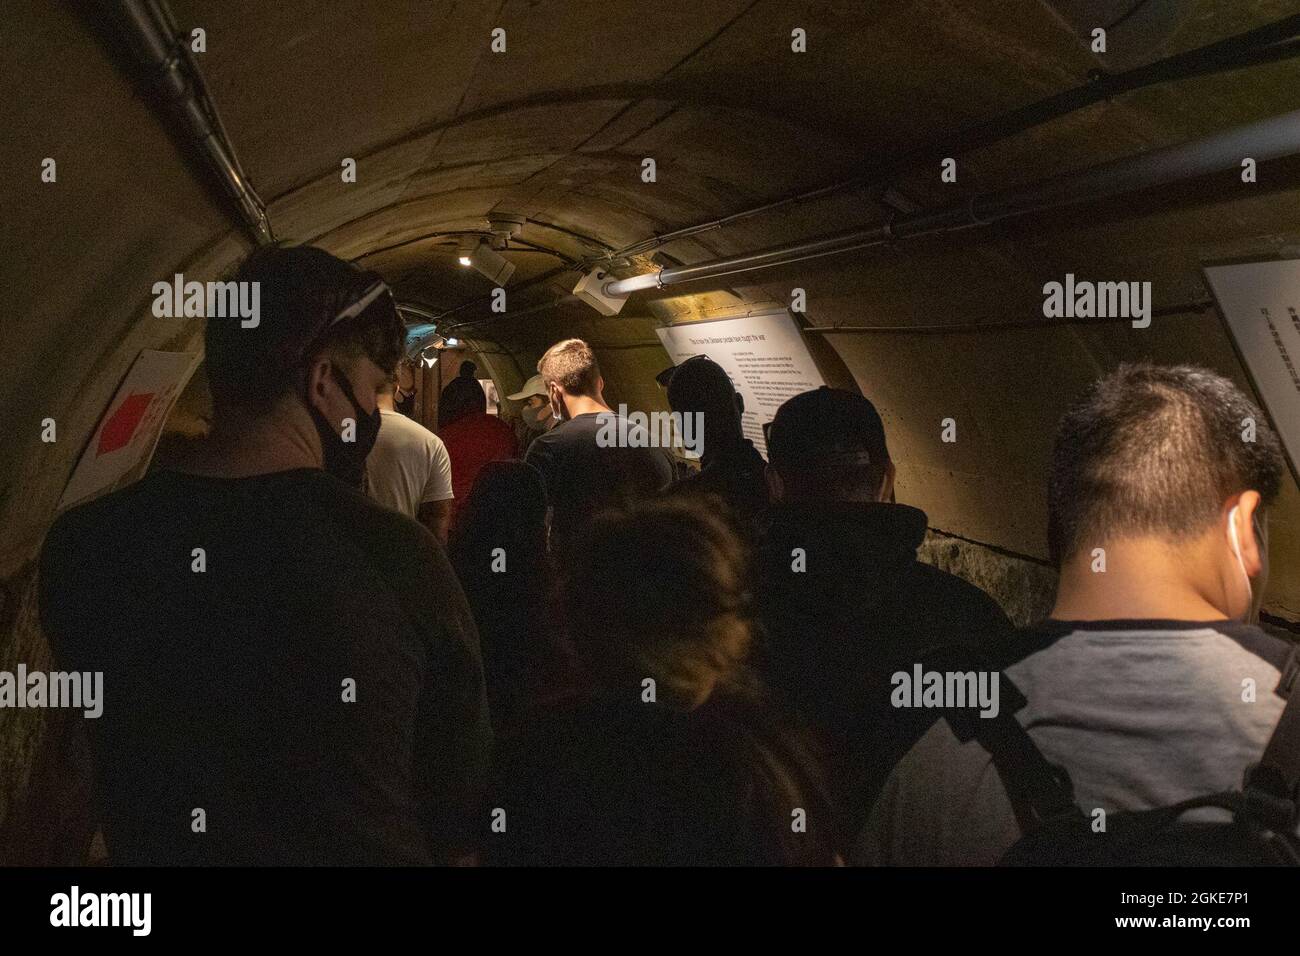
(582, 468)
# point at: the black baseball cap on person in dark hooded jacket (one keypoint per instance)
(826, 423)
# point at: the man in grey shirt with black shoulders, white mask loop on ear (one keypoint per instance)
(1146, 685)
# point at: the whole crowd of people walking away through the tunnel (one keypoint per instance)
(610, 663)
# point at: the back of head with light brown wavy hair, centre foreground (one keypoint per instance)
(658, 591)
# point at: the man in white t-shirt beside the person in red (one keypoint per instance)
(409, 469)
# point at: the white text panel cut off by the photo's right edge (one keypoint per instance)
(1262, 306)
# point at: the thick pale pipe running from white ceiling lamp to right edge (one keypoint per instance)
(1266, 140)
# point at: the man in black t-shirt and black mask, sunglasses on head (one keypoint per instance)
(292, 673)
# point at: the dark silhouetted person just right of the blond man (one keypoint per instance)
(731, 466)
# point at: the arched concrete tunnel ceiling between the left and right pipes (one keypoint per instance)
(447, 132)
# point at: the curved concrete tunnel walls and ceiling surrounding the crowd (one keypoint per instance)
(445, 133)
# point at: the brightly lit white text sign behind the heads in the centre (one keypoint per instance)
(764, 354)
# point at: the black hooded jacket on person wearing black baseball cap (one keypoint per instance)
(863, 609)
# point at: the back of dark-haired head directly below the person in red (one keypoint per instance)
(506, 511)
